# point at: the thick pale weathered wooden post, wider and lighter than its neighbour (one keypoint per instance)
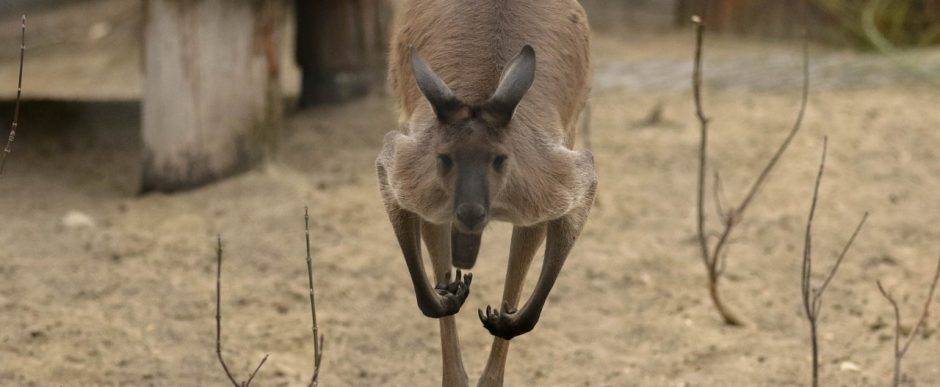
(212, 101)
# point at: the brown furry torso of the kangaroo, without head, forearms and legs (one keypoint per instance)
(468, 43)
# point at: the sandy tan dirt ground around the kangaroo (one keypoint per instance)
(101, 286)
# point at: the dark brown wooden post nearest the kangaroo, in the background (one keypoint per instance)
(341, 47)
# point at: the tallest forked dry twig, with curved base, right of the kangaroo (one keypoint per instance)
(713, 256)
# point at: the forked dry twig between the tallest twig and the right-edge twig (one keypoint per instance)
(812, 297)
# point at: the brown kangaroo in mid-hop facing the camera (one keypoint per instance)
(490, 92)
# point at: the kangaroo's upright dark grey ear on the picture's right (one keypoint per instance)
(513, 85)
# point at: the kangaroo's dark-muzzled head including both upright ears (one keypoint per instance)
(469, 140)
